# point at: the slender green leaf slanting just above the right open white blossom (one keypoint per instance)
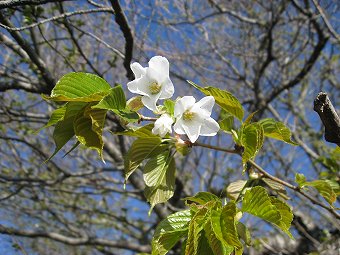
(224, 99)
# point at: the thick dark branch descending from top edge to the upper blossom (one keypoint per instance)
(125, 28)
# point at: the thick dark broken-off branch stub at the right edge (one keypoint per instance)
(329, 117)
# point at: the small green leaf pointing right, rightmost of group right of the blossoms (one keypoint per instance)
(276, 130)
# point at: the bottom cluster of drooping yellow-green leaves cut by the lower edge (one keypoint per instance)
(209, 227)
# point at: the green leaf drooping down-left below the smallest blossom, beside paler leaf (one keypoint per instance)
(140, 150)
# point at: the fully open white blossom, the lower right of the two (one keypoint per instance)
(193, 119)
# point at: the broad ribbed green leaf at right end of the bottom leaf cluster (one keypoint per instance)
(257, 202)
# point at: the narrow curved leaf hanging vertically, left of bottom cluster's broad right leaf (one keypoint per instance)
(228, 225)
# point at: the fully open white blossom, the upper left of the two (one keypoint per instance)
(152, 82)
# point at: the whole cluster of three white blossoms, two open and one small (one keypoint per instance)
(191, 118)
